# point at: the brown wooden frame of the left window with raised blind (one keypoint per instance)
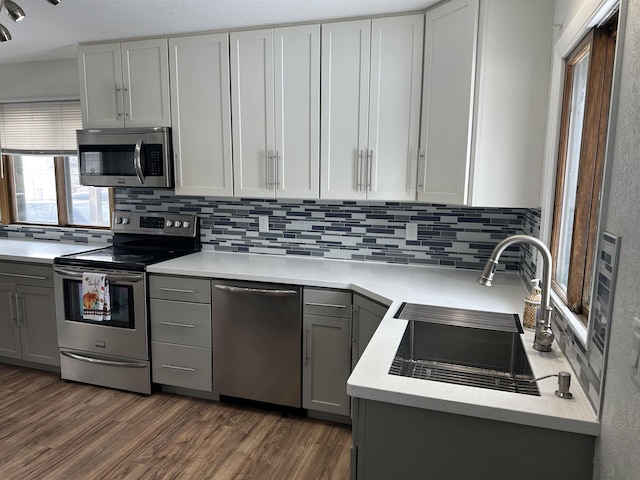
(7, 195)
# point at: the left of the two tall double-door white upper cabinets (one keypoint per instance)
(275, 91)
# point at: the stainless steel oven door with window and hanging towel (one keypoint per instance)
(125, 335)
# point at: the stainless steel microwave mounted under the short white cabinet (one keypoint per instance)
(125, 157)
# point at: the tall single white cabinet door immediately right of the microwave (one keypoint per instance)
(201, 114)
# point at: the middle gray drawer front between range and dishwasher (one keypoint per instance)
(180, 322)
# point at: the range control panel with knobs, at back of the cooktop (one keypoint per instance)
(173, 224)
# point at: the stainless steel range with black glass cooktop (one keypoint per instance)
(113, 350)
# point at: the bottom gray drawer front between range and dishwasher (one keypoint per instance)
(180, 366)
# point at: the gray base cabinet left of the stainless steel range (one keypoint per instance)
(27, 313)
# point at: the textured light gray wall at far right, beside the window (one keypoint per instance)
(618, 449)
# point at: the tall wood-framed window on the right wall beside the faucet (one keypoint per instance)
(584, 124)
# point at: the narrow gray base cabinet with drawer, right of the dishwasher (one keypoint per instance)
(326, 348)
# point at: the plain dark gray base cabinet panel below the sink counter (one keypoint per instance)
(395, 441)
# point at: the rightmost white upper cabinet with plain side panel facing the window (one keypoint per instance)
(485, 101)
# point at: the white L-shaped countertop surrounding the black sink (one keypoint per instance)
(392, 285)
